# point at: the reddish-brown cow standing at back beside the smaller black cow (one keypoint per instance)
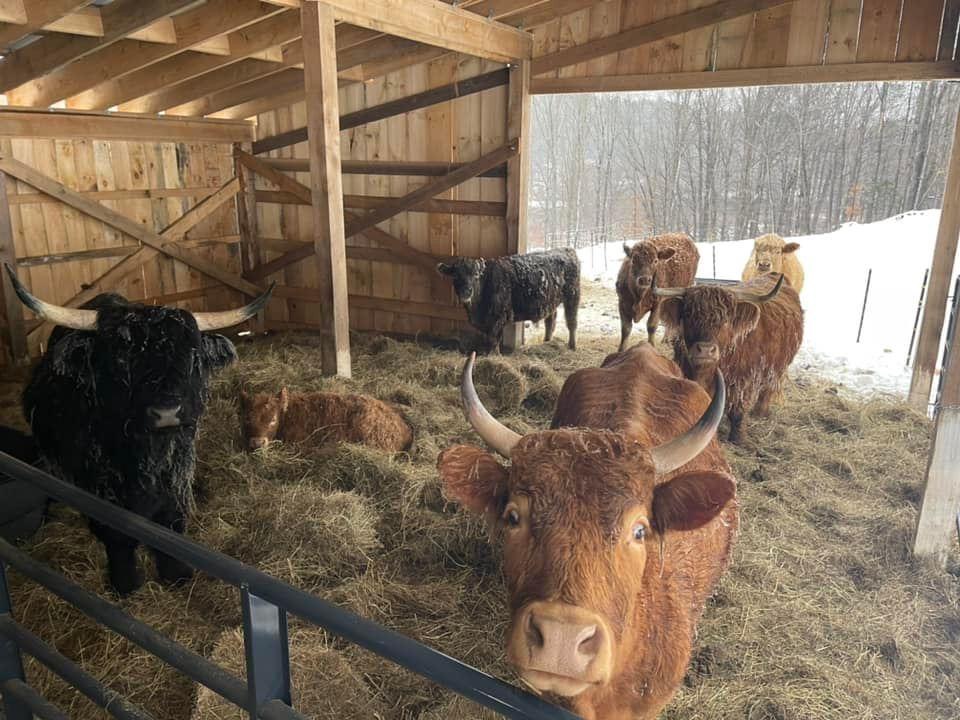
(671, 258)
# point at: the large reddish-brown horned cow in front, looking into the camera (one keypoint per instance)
(616, 524)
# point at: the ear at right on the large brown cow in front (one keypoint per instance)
(691, 500)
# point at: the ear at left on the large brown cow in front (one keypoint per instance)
(472, 478)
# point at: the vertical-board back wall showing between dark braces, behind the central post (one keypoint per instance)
(416, 299)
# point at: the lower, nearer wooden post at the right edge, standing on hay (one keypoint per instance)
(936, 528)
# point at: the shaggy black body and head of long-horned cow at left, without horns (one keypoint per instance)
(89, 403)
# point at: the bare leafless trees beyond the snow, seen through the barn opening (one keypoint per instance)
(726, 164)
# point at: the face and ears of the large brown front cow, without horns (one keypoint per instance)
(581, 517)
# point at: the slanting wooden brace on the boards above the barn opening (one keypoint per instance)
(649, 33)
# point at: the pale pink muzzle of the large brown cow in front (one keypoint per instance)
(562, 644)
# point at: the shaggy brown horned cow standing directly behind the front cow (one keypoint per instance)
(751, 332)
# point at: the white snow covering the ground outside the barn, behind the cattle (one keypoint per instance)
(836, 264)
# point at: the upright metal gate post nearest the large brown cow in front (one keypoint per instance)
(267, 650)
